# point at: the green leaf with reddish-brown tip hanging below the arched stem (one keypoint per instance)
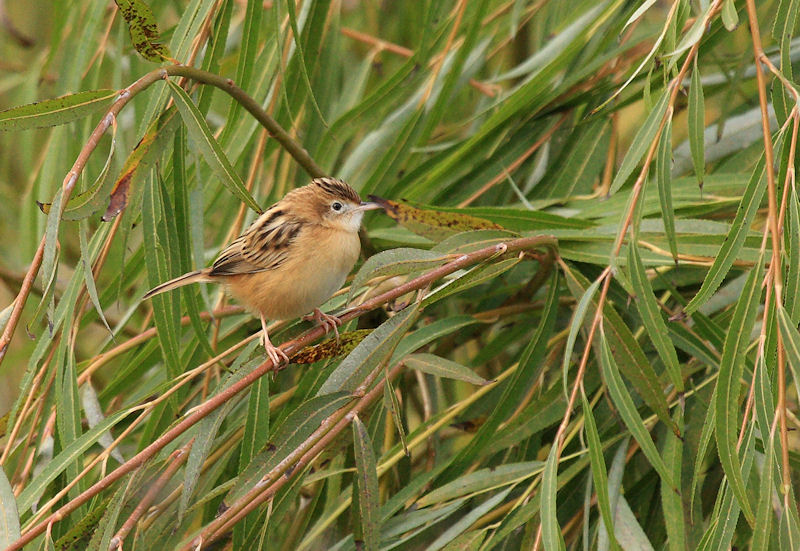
(143, 156)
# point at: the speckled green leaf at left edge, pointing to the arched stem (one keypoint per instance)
(56, 111)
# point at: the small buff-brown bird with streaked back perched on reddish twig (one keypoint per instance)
(293, 258)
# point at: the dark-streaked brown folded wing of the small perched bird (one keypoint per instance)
(264, 246)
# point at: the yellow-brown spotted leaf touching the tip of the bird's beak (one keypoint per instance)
(433, 224)
